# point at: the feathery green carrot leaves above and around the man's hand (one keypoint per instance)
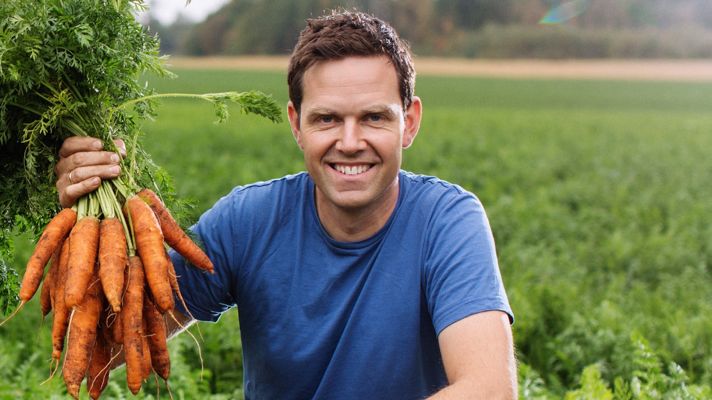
(74, 67)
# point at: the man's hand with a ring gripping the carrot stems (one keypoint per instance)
(82, 165)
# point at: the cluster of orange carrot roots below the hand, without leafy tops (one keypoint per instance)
(110, 285)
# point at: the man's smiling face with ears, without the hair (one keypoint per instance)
(352, 129)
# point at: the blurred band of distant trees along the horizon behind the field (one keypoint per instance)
(472, 28)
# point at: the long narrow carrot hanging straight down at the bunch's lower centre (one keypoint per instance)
(132, 317)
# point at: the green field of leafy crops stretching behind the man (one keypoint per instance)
(598, 194)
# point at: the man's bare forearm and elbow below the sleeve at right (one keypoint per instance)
(478, 355)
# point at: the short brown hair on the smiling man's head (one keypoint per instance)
(349, 33)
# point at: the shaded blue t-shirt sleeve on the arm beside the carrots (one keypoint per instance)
(207, 295)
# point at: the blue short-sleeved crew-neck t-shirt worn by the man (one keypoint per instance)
(325, 319)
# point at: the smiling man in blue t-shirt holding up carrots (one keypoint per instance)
(355, 280)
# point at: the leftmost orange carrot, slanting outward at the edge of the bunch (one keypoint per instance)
(50, 240)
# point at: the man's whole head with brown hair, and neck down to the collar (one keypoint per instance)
(352, 112)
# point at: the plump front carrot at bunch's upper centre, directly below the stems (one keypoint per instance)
(112, 260)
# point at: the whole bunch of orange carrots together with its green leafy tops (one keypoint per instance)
(77, 68)
